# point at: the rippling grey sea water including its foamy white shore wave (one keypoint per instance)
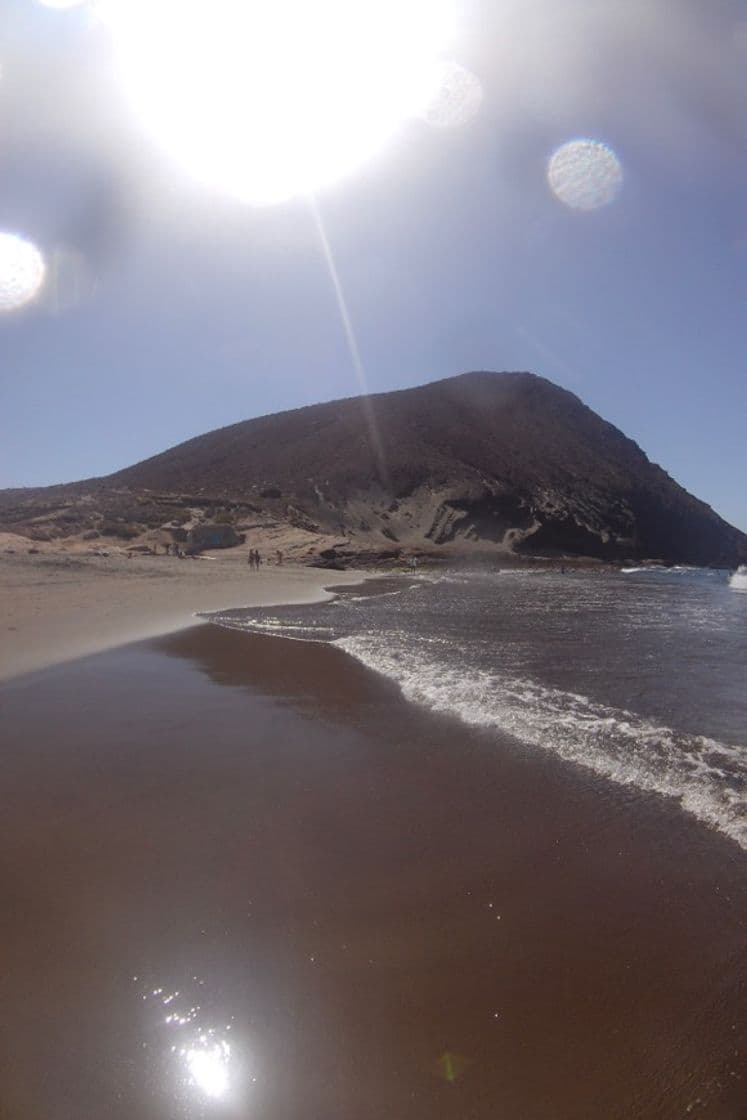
(640, 676)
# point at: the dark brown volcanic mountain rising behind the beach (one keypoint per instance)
(499, 461)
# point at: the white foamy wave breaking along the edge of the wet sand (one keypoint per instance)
(707, 778)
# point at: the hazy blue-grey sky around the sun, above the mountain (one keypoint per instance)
(172, 309)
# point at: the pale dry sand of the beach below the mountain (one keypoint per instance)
(61, 604)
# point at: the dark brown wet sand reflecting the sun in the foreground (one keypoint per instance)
(396, 916)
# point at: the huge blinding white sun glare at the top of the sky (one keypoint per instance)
(272, 99)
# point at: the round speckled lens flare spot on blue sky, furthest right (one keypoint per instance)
(585, 174)
